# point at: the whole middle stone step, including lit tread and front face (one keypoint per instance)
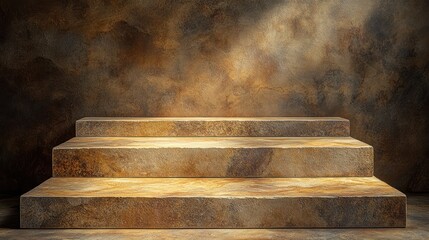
(212, 157)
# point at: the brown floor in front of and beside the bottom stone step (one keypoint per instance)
(417, 228)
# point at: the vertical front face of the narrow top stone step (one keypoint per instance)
(213, 128)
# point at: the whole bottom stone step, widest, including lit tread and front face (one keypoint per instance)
(213, 203)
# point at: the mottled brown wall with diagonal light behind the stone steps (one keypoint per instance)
(365, 60)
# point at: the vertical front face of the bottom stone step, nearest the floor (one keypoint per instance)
(182, 212)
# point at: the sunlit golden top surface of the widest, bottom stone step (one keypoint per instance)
(215, 187)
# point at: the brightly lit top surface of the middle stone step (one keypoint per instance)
(212, 142)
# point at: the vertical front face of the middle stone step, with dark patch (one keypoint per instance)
(213, 162)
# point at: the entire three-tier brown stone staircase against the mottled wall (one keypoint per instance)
(272, 172)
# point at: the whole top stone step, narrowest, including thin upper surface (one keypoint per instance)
(213, 127)
